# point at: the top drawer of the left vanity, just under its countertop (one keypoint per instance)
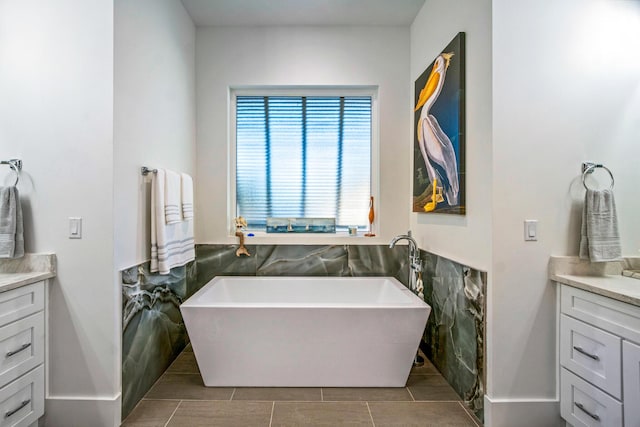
(21, 302)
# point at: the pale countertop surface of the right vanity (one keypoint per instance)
(618, 287)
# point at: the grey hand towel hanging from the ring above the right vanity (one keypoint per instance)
(599, 240)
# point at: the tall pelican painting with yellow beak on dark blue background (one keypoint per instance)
(439, 136)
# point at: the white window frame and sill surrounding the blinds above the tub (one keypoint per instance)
(235, 91)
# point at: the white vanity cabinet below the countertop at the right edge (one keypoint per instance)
(599, 348)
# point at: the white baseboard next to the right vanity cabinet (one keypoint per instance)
(522, 413)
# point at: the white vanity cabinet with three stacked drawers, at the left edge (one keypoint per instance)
(22, 342)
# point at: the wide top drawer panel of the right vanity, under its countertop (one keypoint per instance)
(615, 316)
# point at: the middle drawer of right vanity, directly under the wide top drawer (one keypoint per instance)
(591, 353)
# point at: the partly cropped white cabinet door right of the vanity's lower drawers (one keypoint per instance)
(631, 375)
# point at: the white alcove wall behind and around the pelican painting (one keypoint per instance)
(465, 239)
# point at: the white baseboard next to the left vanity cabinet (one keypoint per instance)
(66, 411)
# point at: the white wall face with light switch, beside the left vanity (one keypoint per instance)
(56, 102)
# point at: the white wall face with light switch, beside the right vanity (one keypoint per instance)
(565, 89)
